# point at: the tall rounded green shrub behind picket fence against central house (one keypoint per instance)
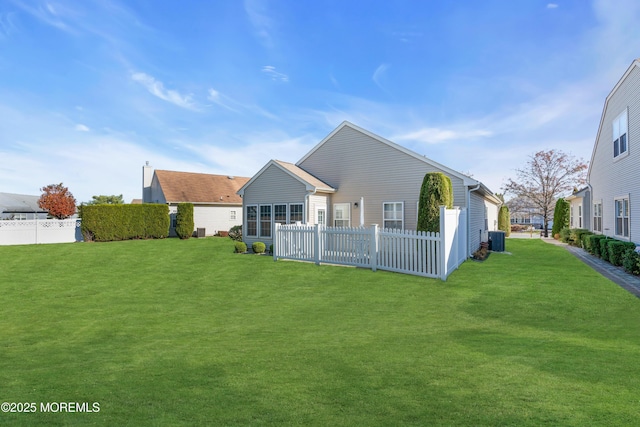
(436, 191)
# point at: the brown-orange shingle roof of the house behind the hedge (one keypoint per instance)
(188, 187)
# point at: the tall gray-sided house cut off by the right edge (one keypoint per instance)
(614, 170)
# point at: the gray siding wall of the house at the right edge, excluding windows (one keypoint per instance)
(609, 177)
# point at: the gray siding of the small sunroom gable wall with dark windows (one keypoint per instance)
(273, 186)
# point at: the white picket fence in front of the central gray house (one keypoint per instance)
(433, 255)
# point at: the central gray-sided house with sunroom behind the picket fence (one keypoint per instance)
(356, 178)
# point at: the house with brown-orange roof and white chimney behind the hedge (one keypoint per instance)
(216, 206)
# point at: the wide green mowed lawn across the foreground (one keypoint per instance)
(172, 332)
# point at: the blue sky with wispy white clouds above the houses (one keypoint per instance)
(90, 90)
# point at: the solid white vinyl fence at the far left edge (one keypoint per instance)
(20, 232)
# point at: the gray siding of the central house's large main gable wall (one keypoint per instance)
(361, 166)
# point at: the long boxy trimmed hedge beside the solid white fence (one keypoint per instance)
(105, 223)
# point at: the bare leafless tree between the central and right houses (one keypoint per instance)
(546, 176)
